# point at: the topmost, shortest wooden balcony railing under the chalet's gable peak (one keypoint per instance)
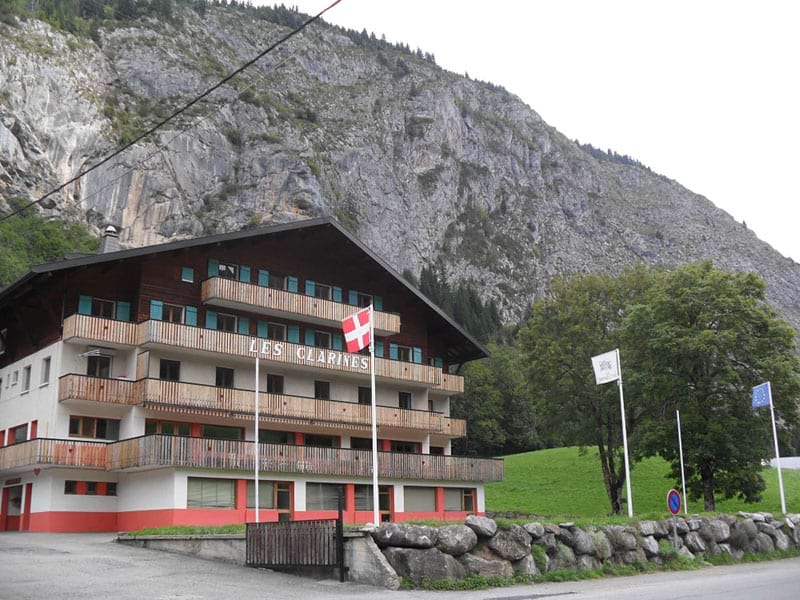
(254, 298)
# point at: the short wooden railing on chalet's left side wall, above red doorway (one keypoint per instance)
(61, 453)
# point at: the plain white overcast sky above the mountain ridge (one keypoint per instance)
(707, 93)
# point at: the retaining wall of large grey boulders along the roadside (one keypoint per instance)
(478, 547)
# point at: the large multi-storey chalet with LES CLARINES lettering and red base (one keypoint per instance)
(127, 387)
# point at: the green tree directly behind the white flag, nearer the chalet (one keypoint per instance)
(582, 317)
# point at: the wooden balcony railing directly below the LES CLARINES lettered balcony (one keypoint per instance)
(238, 403)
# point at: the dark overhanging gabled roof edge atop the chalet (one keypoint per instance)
(469, 350)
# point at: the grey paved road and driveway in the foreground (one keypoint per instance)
(56, 566)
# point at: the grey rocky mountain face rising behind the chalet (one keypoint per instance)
(424, 165)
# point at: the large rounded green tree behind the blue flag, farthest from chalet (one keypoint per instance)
(705, 338)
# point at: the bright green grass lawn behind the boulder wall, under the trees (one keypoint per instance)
(562, 482)
